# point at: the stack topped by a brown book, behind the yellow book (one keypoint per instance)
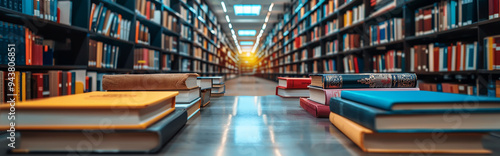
(189, 91)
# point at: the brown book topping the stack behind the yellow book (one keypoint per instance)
(149, 81)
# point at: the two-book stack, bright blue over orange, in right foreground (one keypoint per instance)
(421, 122)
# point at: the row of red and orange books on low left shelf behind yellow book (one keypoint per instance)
(29, 85)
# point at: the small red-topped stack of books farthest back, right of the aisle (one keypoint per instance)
(292, 87)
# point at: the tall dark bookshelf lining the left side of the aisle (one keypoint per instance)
(75, 54)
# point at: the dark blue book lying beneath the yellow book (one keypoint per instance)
(148, 140)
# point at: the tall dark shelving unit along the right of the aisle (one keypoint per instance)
(272, 53)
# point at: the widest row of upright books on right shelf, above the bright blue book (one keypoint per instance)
(436, 57)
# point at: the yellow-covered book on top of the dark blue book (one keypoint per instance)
(94, 110)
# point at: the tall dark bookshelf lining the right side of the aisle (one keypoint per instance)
(279, 57)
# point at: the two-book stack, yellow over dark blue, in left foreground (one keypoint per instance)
(138, 122)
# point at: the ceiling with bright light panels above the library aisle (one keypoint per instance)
(247, 22)
